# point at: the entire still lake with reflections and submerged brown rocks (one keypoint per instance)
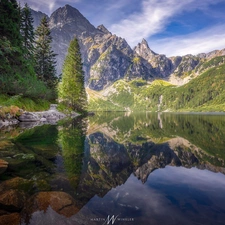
(115, 168)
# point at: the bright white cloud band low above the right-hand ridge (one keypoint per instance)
(198, 42)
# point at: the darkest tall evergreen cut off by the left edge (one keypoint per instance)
(11, 57)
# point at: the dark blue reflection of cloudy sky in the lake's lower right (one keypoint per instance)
(173, 195)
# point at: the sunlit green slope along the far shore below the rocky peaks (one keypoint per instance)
(204, 93)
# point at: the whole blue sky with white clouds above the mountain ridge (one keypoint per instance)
(171, 27)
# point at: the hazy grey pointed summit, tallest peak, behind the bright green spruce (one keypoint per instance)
(66, 23)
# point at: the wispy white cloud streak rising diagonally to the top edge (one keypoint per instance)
(154, 17)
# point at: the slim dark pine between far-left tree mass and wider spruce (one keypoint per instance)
(27, 31)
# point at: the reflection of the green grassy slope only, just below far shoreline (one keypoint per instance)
(201, 134)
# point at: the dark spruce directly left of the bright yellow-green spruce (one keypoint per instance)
(44, 56)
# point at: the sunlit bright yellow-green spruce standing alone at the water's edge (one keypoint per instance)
(71, 89)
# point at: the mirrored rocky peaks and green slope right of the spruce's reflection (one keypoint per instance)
(118, 146)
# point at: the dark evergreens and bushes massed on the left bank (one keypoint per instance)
(22, 57)
